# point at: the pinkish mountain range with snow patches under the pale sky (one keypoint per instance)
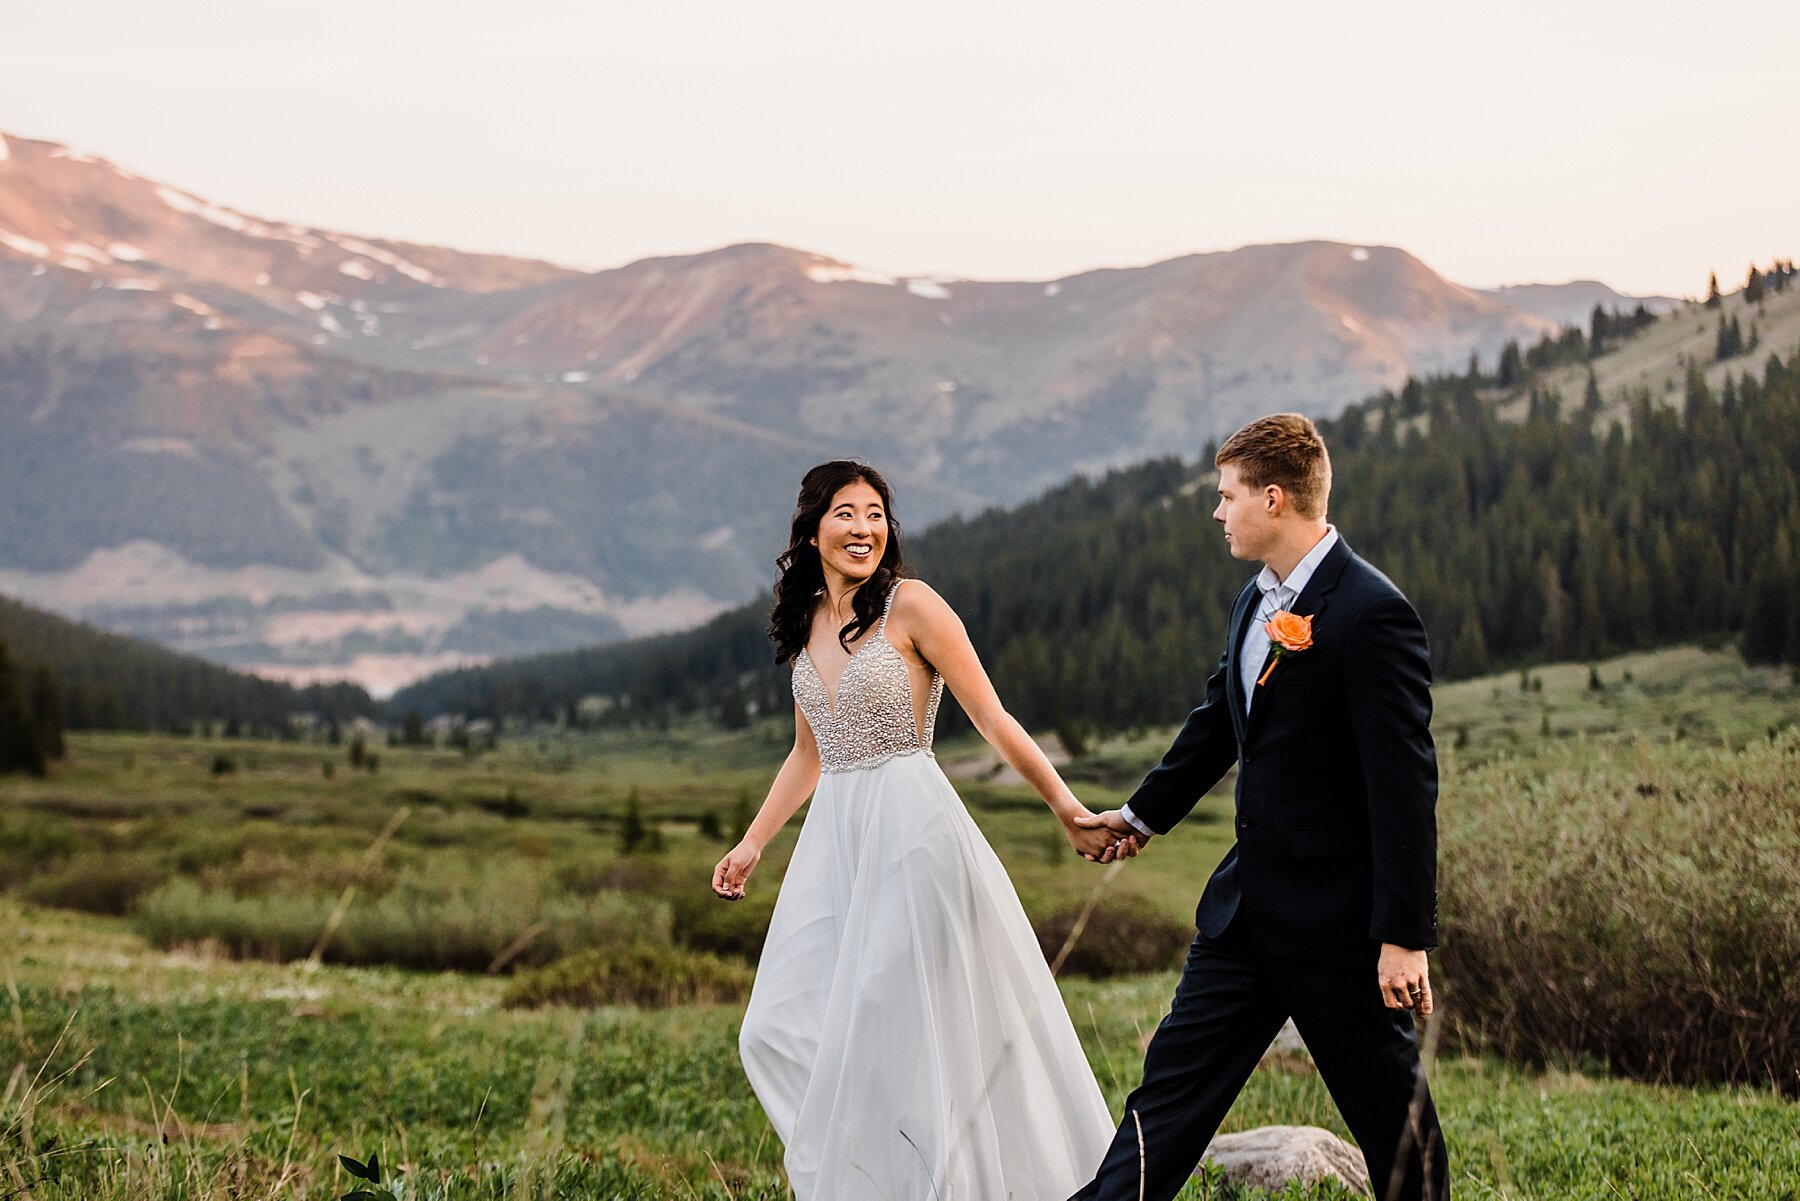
(319, 455)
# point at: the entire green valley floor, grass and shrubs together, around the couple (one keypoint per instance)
(228, 962)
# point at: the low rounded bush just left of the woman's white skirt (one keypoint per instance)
(636, 975)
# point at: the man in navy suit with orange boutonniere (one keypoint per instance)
(1327, 905)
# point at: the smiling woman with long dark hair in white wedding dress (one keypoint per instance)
(903, 1034)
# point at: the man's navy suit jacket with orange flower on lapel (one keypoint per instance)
(1338, 779)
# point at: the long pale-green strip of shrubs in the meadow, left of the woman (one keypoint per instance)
(471, 923)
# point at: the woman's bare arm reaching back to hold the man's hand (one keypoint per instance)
(940, 640)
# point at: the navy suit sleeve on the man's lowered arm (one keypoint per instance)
(1389, 682)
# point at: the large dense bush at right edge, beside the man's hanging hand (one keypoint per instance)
(1633, 905)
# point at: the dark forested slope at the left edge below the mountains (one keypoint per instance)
(111, 682)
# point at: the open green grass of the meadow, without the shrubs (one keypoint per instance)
(183, 1072)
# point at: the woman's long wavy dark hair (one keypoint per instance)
(802, 577)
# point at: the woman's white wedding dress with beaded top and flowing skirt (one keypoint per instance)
(904, 1033)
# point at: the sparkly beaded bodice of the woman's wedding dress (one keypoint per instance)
(872, 719)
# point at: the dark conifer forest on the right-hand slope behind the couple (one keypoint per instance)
(1572, 534)
